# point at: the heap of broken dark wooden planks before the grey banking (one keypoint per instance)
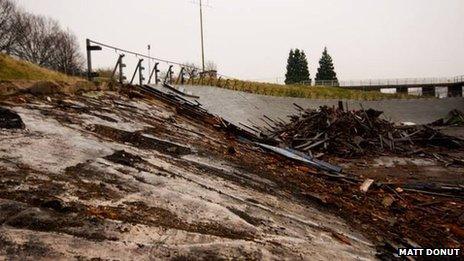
(344, 133)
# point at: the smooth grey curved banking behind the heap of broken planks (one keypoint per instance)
(244, 107)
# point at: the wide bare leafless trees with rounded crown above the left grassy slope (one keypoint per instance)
(40, 40)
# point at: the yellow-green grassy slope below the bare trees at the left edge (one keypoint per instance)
(13, 69)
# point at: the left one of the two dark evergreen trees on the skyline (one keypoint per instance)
(297, 67)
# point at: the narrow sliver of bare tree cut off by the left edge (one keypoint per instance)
(7, 23)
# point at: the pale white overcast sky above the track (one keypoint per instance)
(250, 39)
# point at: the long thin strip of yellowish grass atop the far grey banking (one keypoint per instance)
(302, 91)
